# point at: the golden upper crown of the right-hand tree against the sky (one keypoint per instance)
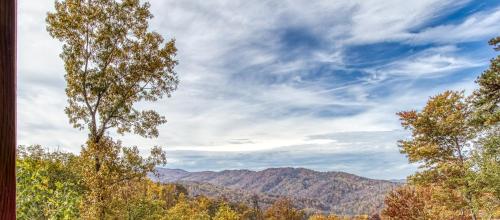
(439, 131)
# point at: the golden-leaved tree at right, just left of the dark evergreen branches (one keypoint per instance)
(441, 144)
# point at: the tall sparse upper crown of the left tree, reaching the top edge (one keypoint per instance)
(112, 62)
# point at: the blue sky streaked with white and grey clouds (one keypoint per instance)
(312, 84)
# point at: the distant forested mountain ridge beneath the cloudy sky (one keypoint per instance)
(314, 191)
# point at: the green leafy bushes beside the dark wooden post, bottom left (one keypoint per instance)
(48, 187)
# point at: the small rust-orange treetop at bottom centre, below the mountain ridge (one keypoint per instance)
(283, 209)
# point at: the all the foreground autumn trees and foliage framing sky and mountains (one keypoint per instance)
(112, 62)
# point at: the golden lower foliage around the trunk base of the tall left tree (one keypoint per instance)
(121, 168)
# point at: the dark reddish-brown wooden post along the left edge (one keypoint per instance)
(7, 109)
